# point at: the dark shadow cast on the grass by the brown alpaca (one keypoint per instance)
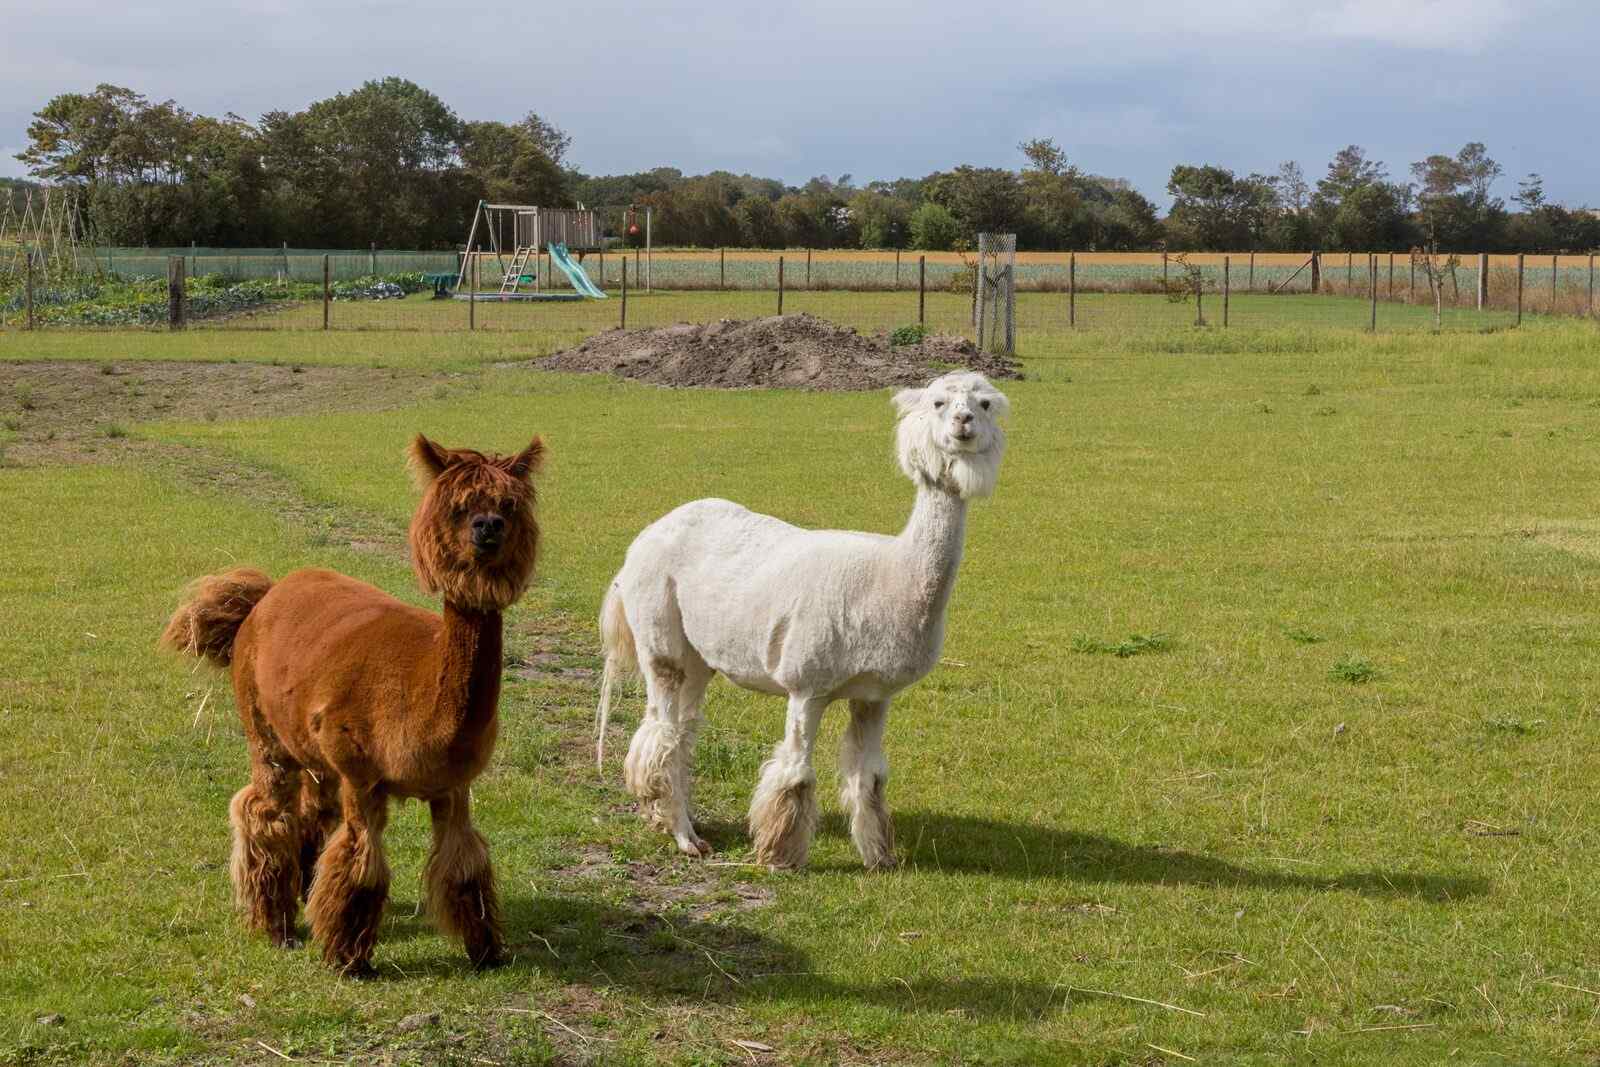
(582, 941)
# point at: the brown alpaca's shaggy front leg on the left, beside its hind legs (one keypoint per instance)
(351, 885)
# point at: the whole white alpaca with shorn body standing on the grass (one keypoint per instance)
(814, 615)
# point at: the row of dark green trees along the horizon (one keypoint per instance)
(391, 164)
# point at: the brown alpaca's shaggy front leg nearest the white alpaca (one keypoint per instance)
(462, 884)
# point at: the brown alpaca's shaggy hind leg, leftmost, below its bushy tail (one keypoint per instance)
(266, 847)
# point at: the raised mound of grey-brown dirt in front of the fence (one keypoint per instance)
(774, 353)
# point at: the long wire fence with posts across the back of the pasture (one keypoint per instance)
(1153, 292)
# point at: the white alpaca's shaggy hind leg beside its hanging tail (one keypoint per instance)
(662, 756)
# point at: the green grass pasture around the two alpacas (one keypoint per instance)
(1265, 729)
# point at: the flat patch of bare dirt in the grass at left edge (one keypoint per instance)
(79, 410)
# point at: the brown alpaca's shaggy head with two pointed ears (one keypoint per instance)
(474, 537)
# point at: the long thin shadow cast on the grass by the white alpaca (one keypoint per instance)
(1020, 850)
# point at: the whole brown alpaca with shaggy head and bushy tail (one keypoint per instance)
(351, 698)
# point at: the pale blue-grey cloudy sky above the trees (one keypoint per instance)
(882, 90)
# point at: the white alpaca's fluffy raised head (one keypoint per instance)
(950, 434)
